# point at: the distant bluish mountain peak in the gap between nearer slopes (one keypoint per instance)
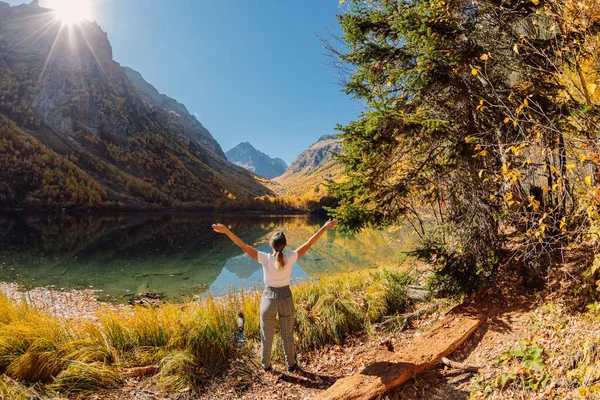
(246, 156)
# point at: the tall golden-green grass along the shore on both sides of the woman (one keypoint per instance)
(190, 341)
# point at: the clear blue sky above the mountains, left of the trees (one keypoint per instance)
(250, 70)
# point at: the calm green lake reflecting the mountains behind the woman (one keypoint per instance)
(175, 254)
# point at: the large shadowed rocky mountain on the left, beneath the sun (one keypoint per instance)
(60, 85)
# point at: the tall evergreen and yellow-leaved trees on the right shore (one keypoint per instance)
(481, 129)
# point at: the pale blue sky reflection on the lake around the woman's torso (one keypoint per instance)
(243, 272)
